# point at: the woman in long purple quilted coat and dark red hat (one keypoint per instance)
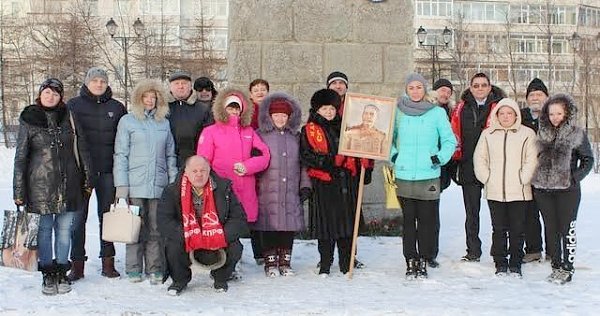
(283, 185)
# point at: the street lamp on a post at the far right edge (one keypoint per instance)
(585, 47)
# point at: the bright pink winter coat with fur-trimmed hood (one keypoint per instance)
(231, 140)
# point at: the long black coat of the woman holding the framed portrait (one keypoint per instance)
(332, 206)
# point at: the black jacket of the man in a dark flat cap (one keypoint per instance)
(187, 119)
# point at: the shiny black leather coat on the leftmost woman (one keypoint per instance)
(46, 175)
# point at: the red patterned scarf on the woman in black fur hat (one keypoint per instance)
(318, 142)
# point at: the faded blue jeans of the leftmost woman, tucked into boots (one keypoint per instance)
(61, 225)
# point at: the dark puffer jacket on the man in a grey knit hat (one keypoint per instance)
(98, 117)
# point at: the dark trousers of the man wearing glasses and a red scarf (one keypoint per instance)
(472, 200)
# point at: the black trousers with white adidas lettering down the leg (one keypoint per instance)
(559, 210)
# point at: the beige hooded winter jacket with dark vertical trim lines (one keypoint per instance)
(505, 158)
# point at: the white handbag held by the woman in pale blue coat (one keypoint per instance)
(120, 224)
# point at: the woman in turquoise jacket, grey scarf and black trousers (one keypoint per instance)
(422, 143)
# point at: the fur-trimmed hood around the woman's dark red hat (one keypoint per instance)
(265, 124)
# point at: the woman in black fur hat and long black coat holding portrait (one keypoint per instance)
(334, 179)
